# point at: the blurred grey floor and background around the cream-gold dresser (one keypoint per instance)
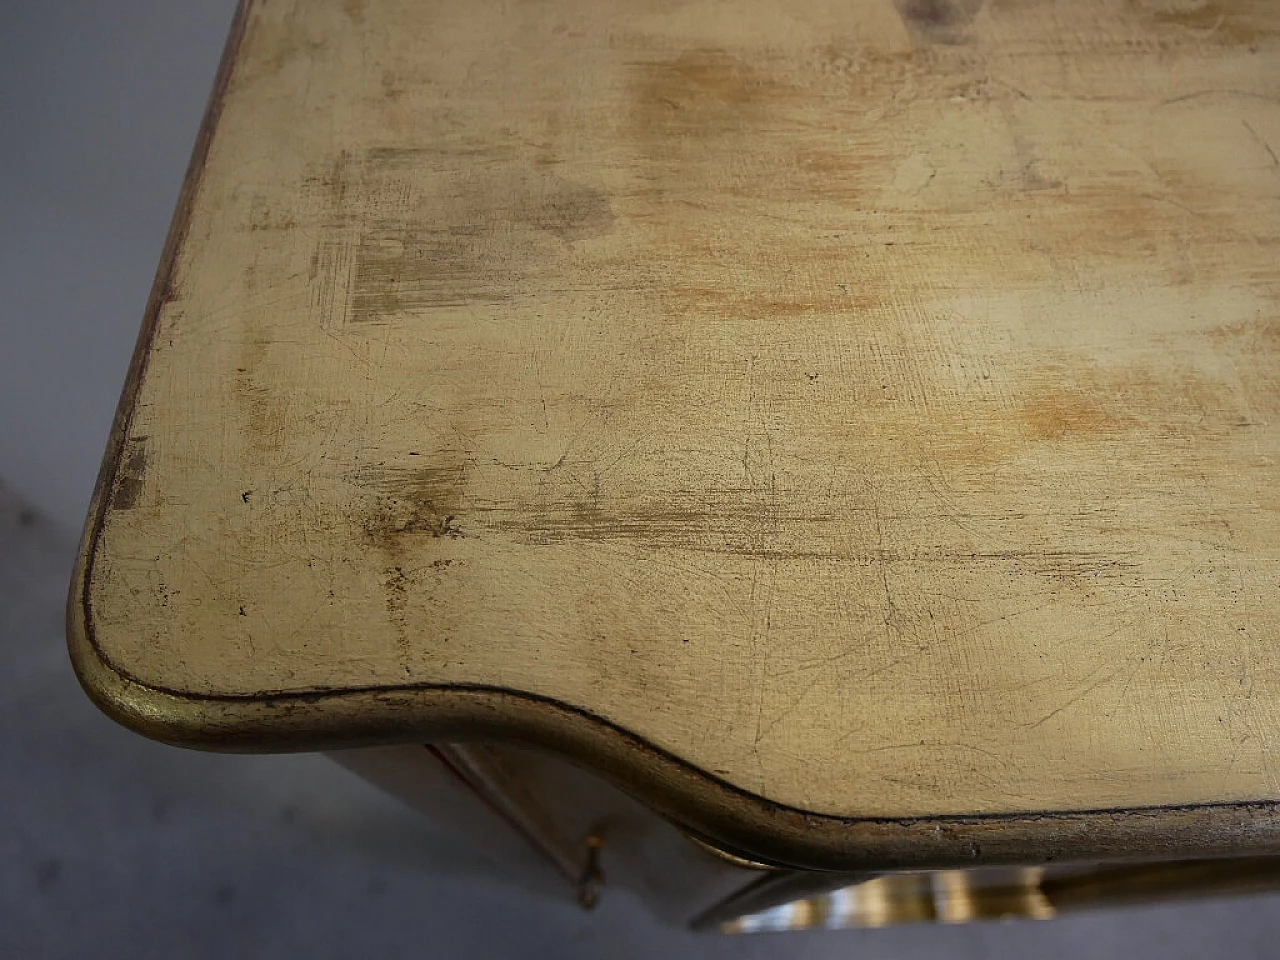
(116, 847)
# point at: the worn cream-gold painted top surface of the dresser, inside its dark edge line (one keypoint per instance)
(875, 406)
